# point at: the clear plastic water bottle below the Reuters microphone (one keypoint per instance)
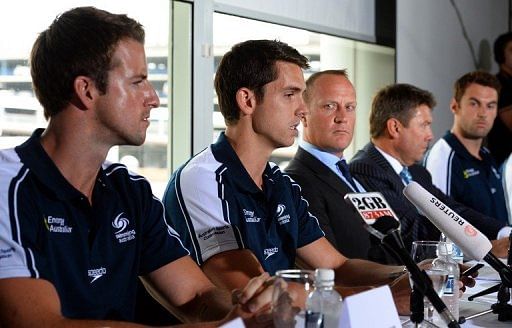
(445, 261)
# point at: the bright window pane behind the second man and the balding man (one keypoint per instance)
(369, 66)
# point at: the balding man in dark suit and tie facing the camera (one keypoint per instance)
(328, 130)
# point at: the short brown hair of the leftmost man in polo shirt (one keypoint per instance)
(81, 41)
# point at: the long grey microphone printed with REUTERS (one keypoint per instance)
(469, 239)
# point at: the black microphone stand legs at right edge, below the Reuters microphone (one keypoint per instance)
(501, 307)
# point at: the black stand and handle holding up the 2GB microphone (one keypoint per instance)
(421, 280)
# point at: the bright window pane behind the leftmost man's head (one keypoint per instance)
(20, 112)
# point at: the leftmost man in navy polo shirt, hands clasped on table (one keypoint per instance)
(76, 231)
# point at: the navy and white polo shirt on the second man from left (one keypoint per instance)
(215, 206)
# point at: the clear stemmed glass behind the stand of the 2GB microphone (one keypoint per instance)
(427, 250)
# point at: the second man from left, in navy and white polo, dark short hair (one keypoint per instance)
(238, 214)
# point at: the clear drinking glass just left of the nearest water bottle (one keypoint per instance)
(291, 289)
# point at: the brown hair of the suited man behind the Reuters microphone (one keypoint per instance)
(397, 101)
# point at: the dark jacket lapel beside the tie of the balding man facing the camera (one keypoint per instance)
(323, 173)
